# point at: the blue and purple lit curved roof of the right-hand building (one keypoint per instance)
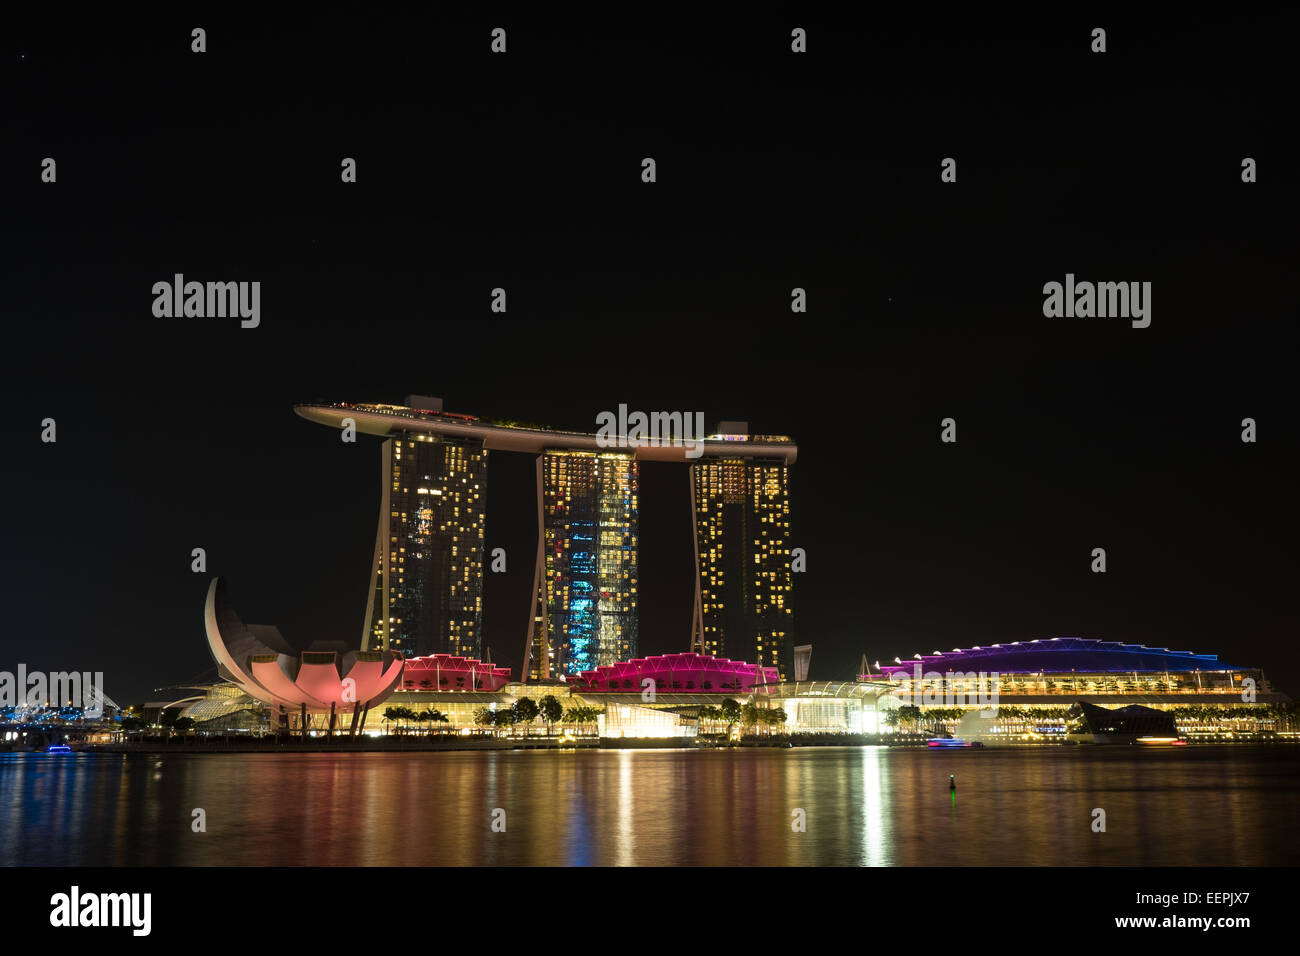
(1063, 655)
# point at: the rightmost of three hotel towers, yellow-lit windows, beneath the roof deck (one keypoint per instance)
(743, 556)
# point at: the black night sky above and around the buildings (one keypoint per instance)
(774, 171)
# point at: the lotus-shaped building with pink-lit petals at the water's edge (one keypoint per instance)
(324, 677)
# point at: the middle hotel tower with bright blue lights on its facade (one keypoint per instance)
(587, 615)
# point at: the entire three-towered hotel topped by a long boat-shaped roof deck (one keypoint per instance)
(426, 592)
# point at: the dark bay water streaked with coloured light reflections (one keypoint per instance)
(1212, 806)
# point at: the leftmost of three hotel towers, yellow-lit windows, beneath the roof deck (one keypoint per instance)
(427, 574)
